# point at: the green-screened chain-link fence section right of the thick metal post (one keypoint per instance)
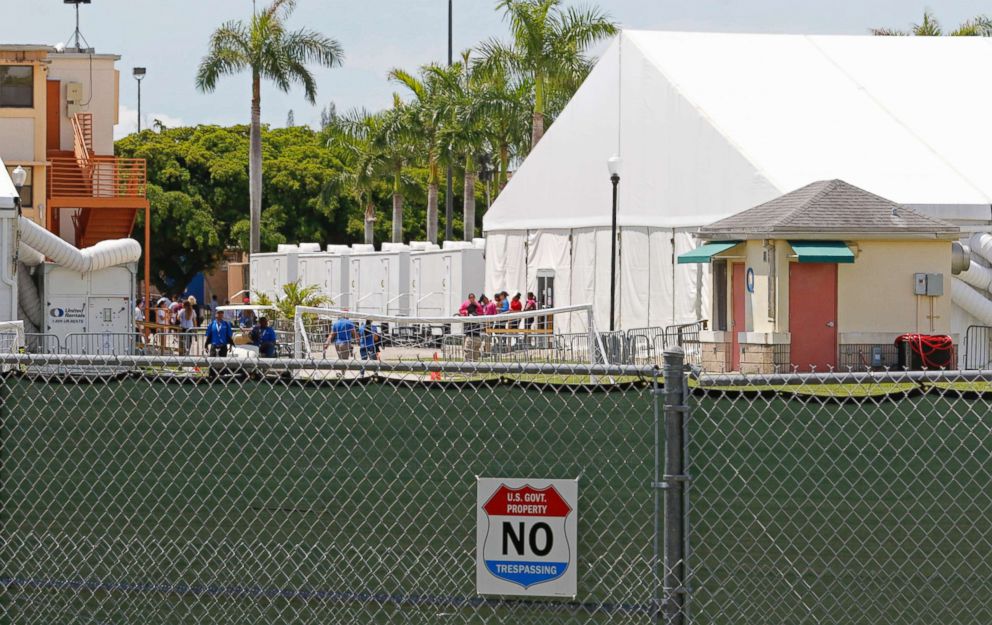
(857, 499)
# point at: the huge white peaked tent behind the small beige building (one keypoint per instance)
(711, 124)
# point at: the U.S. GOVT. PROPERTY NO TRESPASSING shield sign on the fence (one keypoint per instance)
(527, 537)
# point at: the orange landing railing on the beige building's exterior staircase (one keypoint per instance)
(105, 177)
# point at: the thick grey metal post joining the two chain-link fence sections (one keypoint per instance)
(674, 483)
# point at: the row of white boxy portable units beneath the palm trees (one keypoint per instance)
(418, 279)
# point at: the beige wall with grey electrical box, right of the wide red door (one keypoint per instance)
(875, 293)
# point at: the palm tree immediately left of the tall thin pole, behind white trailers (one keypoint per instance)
(427, 113)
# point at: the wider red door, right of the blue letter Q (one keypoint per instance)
(813, 315)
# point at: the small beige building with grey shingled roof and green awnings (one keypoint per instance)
(828, 276)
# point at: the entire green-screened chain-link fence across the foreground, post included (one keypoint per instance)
(146, 489)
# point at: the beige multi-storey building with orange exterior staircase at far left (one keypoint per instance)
(58, 110)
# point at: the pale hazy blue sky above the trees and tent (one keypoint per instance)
(169, 38)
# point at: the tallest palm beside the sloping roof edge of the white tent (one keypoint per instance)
(548, 49)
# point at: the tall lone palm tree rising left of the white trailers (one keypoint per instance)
(268, 50)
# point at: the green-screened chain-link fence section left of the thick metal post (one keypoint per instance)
(136, 491)
